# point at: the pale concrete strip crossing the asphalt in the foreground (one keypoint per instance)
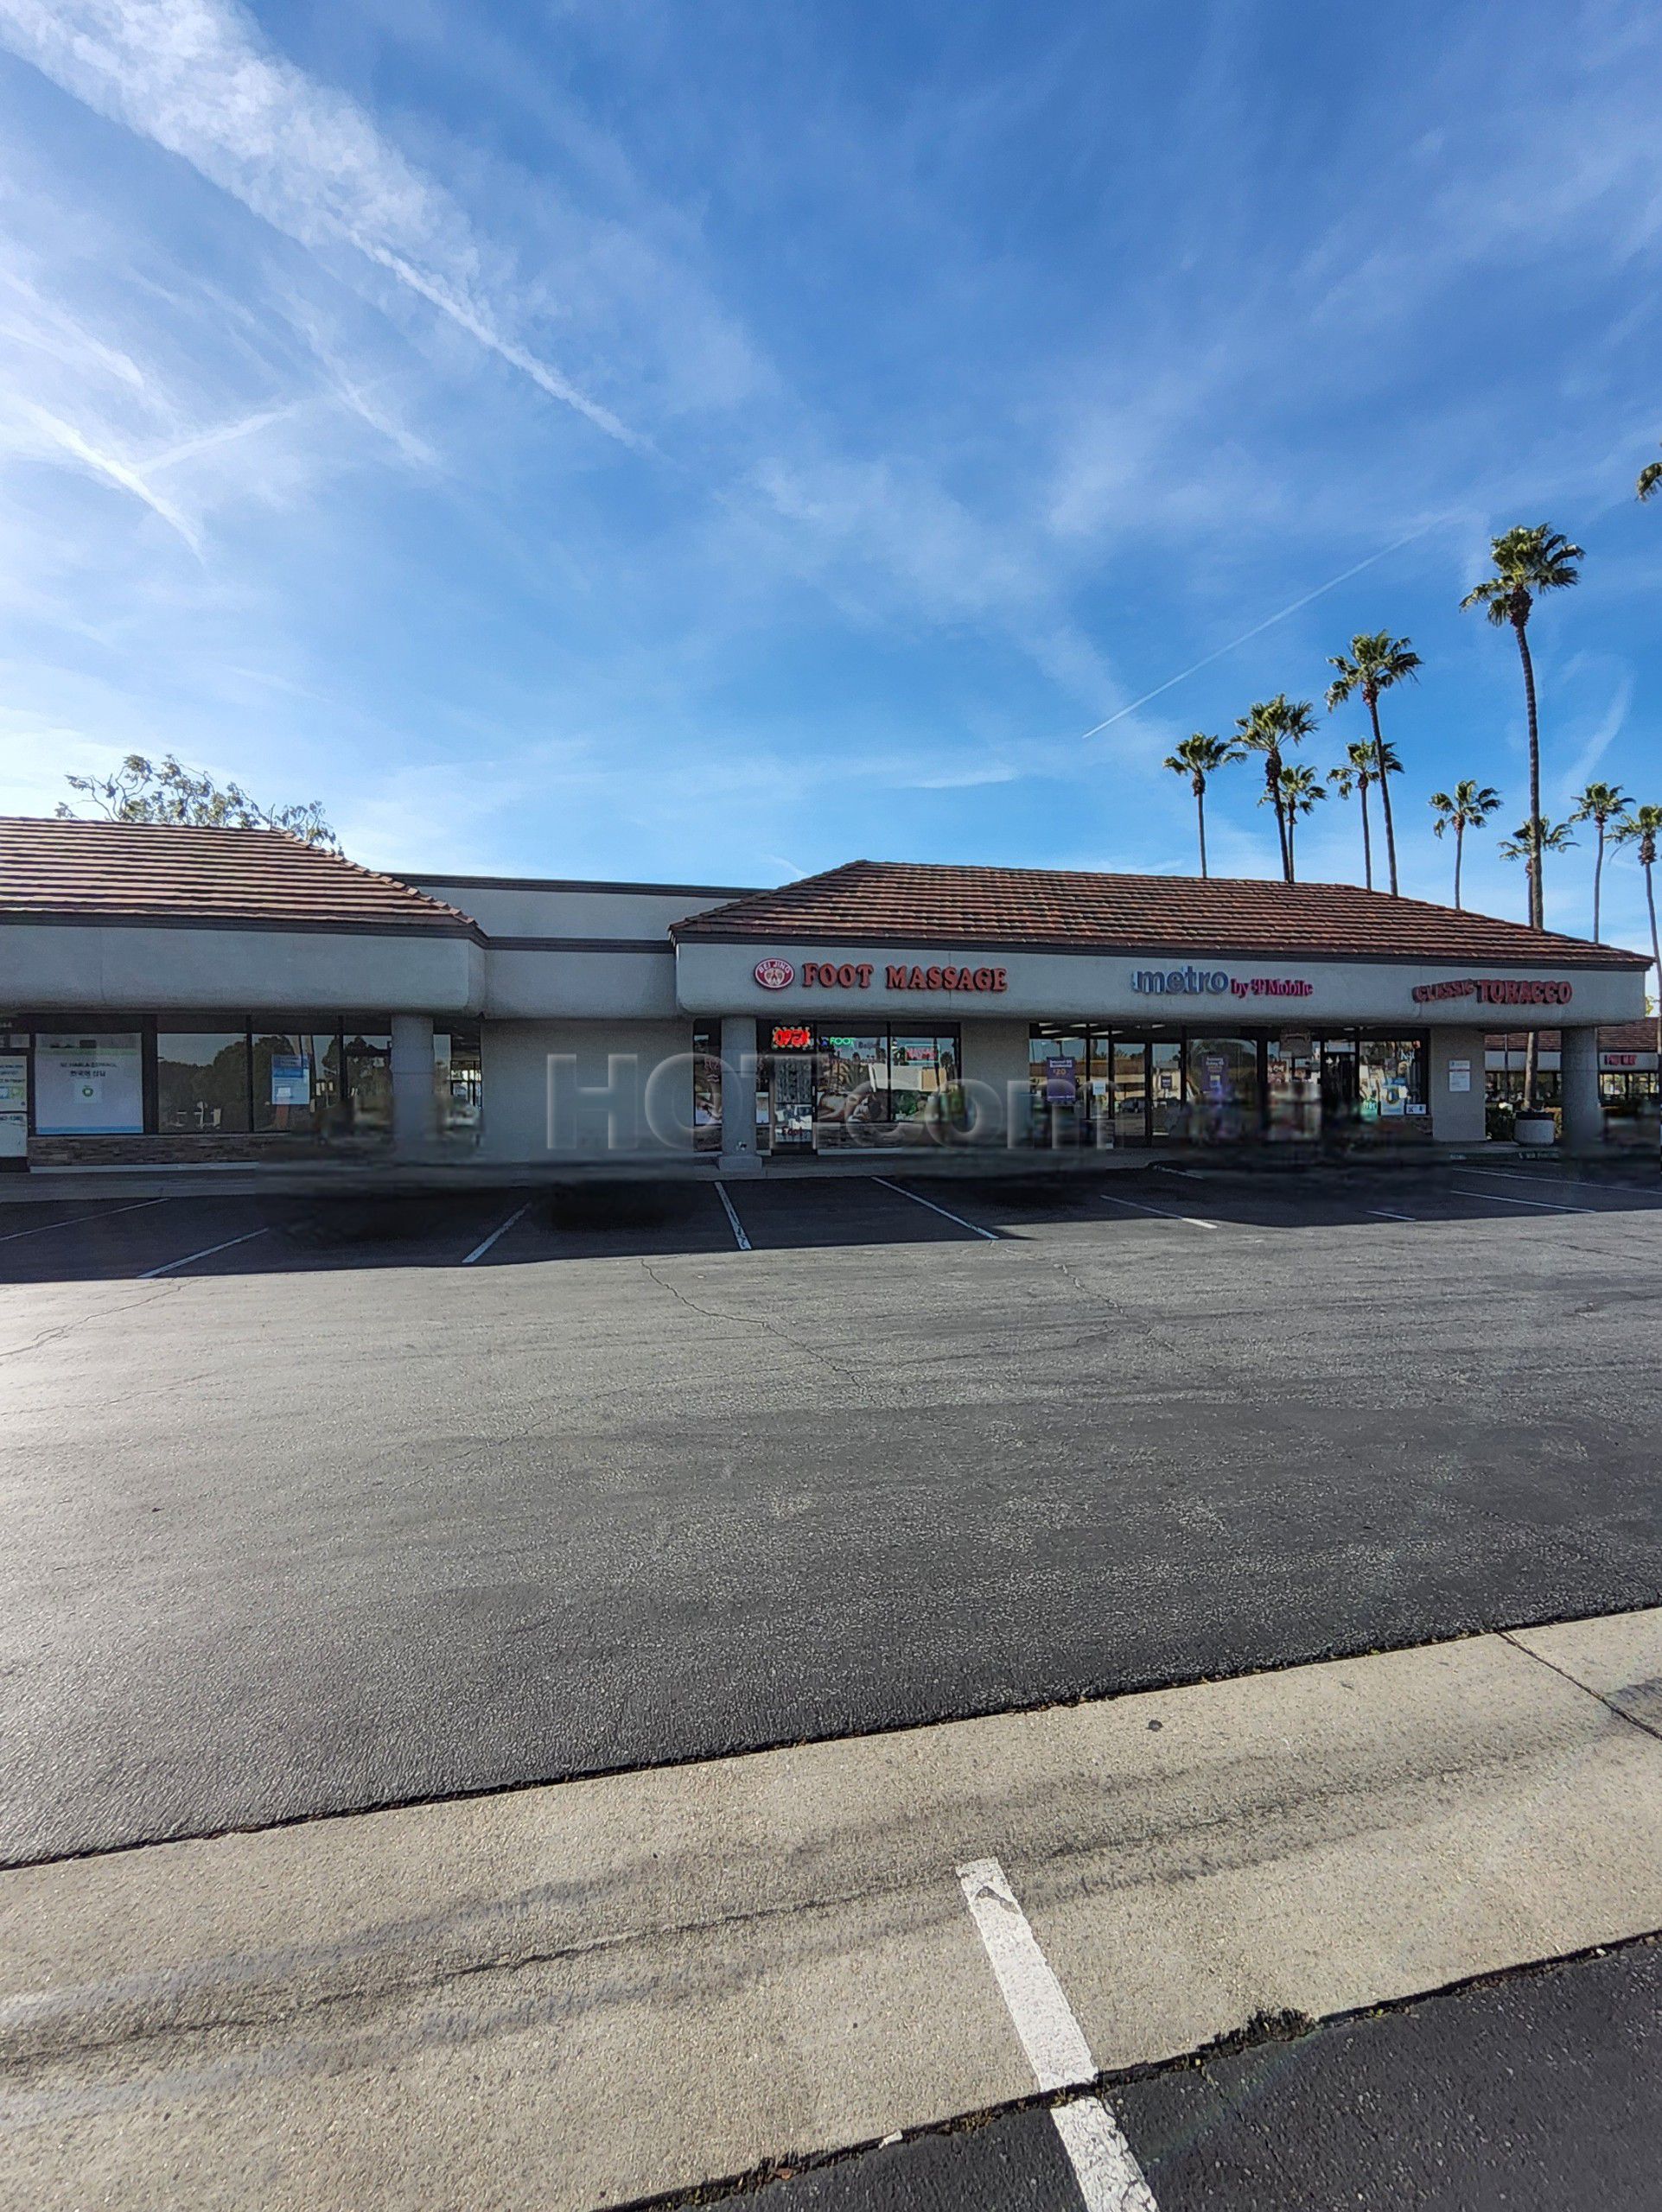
(610, 1990)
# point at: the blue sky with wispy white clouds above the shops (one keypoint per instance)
(709, 444)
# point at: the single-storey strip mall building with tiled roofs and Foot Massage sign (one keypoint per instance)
(174, 997)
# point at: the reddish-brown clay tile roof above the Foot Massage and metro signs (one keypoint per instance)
(906, 904)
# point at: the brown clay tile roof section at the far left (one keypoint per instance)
(165, 873)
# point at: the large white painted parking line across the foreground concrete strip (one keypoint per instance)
(1055, 2043)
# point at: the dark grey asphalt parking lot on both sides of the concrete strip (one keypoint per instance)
(331, 1505)
